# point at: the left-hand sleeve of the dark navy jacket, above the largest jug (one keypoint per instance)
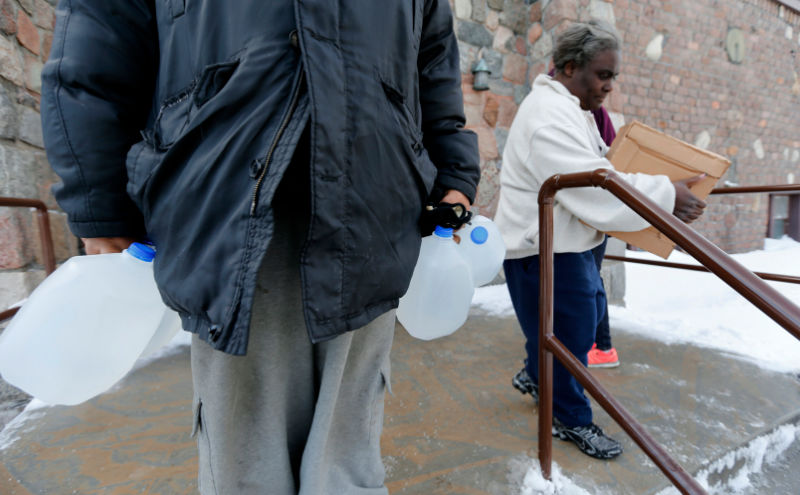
(97, 90)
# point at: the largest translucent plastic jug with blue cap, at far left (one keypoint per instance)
(84, 327)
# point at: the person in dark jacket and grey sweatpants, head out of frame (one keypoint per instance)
(278, 154)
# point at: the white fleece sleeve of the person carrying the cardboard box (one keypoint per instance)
(563, 149)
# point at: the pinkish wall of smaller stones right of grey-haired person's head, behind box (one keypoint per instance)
(748, 111)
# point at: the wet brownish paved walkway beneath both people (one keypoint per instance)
(453, 426)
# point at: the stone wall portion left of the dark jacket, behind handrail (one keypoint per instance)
(25, 37)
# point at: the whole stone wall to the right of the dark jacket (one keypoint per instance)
(676, 77)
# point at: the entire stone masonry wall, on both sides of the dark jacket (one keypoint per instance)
(677, 76)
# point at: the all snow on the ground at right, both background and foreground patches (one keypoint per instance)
(681, 306)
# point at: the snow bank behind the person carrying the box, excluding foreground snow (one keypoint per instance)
(682, 306)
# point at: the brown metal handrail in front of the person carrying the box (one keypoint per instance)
(765, 297)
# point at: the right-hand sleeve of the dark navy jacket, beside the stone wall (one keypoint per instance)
(453, 149)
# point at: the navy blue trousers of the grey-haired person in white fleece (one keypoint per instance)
(579, 306)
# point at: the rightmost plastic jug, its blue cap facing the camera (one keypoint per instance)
(483, 248)
